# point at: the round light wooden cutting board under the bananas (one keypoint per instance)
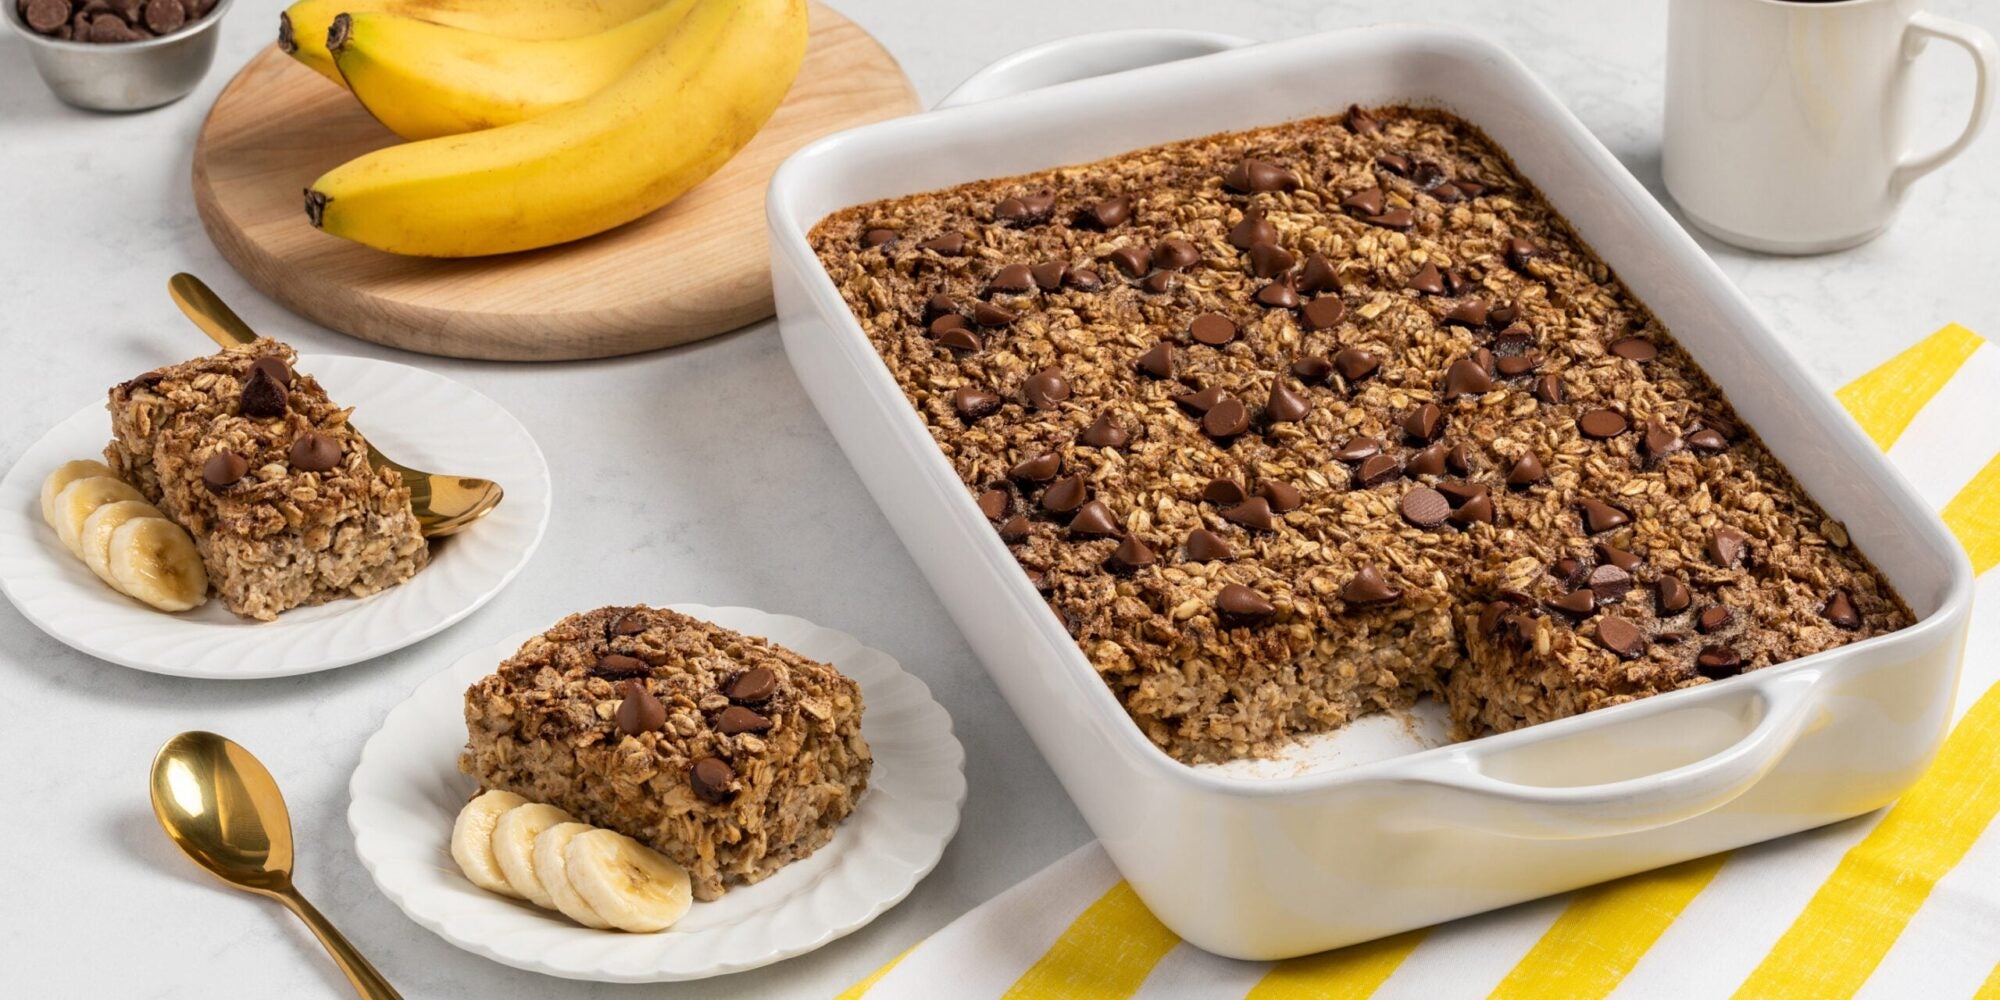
(689, 271)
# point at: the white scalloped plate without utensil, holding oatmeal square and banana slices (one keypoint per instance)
(409, 789)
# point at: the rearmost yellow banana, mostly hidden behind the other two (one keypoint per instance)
(303, 27)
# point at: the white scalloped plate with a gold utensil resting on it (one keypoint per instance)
(421, 419)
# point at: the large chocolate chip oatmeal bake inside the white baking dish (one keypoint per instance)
(1311, 421)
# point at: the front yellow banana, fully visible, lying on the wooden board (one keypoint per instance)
(665, 127)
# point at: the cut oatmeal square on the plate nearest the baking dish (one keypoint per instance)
(727, 753)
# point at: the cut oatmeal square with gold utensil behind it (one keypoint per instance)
(269, 479)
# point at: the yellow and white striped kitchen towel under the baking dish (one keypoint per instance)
(1901, 903)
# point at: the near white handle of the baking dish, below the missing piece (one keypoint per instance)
(1627, 807)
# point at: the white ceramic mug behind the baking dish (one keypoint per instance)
(1789, 121)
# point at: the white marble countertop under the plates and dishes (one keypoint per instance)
(685, 475)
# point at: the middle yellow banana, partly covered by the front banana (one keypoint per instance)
(427, 81)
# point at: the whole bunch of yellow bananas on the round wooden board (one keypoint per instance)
(535, 123)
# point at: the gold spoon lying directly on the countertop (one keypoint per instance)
(225, 811)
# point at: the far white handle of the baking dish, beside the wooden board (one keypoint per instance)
(1083, 57)
